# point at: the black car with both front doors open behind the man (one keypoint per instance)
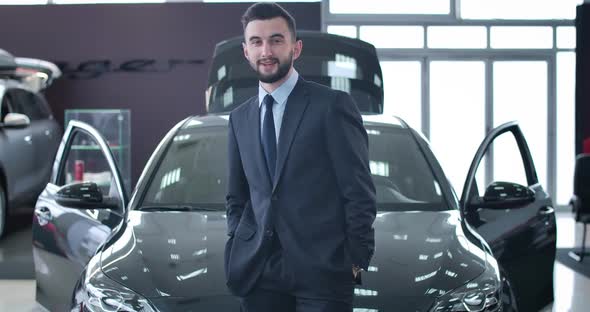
(162, 249)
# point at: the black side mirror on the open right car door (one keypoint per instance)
(505, 195)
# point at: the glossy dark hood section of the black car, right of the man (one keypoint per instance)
(418, 256)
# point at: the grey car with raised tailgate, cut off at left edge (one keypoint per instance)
(29, 136)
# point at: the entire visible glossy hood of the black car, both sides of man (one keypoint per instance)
(176, 258)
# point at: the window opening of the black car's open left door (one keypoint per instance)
(86, 162)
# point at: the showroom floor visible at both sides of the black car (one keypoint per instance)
(17, 295)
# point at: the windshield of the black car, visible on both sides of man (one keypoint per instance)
(193, 172)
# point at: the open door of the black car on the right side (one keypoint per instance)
(514, 215)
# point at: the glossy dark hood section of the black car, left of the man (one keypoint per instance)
(169, 254)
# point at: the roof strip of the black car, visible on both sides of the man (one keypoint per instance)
(212, 120)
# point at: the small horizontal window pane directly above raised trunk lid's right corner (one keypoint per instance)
(393, 36)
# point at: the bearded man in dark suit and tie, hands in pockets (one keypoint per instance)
(300, 201)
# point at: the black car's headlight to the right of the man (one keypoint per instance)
(480, 294)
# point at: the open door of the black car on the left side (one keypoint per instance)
(81, 206)
